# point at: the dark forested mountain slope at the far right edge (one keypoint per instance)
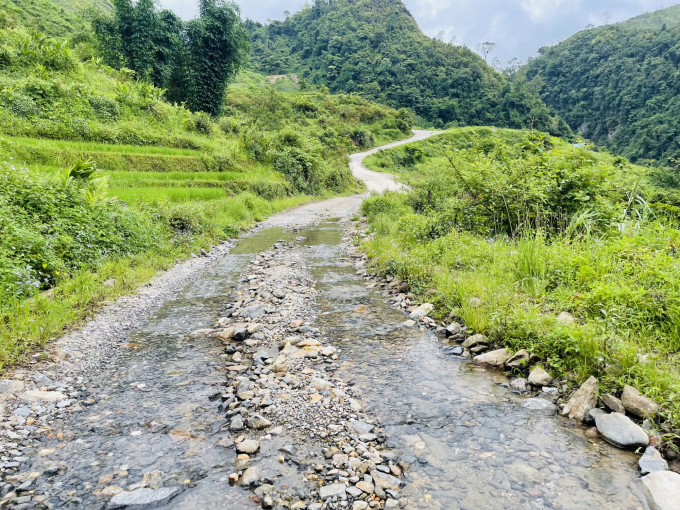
(618, 85)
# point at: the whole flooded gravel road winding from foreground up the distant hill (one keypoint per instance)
(276, 373)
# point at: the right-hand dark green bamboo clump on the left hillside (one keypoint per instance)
(218, 48)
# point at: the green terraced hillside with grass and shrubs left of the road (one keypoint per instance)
(101, 178)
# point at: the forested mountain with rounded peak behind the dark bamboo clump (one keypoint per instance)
(375, 48)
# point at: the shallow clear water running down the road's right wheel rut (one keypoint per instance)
(471, 444)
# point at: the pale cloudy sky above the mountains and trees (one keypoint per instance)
(518, 27)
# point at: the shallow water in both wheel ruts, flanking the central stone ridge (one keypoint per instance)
(470, 443)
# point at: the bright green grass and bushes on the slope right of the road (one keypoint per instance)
(531, 227)
